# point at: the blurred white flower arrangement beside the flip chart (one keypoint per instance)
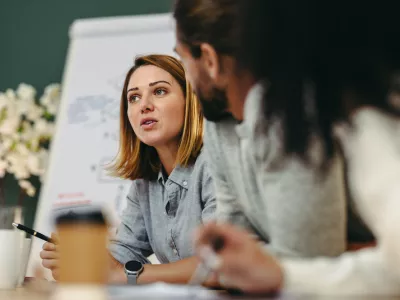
(26, 129)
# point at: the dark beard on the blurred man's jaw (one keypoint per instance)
(214, 107)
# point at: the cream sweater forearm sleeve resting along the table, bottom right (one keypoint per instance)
(353, 273)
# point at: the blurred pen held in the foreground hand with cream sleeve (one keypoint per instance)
(205, 268)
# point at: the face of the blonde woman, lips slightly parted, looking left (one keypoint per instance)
(156, 106)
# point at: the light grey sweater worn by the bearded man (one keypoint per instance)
(288, 205)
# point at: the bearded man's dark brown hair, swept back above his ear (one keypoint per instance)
(207, 21)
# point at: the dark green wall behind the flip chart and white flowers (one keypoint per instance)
(34, 41)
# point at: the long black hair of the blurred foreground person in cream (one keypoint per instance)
(322, 60)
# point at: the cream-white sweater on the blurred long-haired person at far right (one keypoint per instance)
(372, 152)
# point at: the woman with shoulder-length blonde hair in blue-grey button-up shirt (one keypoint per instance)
(161, 133)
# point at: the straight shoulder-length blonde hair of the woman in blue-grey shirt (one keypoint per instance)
(138, 160)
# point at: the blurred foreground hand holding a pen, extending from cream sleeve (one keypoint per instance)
(241, 263)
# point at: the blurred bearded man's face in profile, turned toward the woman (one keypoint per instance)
(213, 99)
